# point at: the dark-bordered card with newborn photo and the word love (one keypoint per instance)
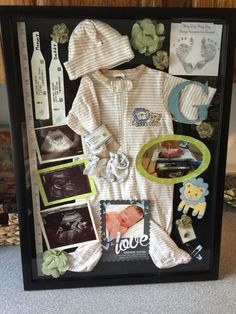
(125, 230)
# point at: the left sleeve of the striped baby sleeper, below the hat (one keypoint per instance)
(84, 116)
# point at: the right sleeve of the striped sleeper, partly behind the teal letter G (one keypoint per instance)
(191, 95)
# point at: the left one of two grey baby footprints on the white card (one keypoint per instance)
(183, 51)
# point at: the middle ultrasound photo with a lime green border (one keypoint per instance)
(65, 182)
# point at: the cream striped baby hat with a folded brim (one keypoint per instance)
(95, 45)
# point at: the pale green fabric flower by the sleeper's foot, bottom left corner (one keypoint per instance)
(55, 263)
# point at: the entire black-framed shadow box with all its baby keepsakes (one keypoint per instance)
(119, 120)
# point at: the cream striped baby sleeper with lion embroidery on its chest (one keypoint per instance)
(117, 98)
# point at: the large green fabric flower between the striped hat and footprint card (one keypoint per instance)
(147, 36)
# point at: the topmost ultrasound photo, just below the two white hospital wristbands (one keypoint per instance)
(57, 143)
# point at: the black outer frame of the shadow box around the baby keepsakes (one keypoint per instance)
(136, 272)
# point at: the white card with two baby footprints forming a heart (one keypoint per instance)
(195, 49)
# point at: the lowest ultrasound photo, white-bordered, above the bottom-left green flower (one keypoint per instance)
(68, 226)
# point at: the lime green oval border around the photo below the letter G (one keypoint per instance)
(206, 158)
